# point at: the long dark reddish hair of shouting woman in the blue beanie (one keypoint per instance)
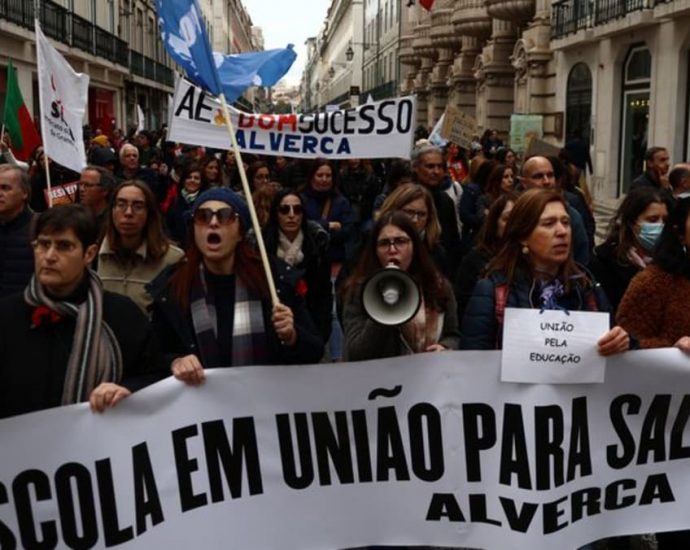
(248, 267)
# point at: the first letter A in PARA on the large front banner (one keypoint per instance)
(514, 458)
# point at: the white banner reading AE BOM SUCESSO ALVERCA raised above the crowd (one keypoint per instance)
(376, 130)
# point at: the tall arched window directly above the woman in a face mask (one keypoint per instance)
(637, 73)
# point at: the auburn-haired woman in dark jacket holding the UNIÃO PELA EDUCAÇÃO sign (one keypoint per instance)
(535, 269)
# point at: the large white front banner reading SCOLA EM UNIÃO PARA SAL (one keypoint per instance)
(428, 449)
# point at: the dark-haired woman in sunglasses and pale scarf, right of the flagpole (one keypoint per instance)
(302, 245)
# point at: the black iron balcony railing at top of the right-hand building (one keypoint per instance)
(571, 16)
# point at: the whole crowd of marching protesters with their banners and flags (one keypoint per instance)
(334, 329)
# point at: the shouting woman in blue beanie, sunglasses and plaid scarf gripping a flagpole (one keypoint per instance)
(214, 310)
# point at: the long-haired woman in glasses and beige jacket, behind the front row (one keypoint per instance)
(135, 249)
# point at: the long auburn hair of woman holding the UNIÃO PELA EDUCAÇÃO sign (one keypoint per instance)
(523, 220)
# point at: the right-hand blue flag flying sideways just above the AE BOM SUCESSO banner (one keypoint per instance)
(240, 71)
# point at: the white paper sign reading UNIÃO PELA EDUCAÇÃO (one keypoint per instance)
(552, 346)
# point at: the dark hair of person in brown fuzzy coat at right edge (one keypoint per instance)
(671, 252)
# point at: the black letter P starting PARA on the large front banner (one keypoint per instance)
(472, 415)
